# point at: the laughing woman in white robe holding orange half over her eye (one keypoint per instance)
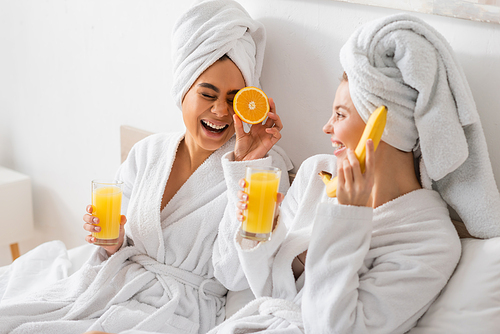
(160, 278)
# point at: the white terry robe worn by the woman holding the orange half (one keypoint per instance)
(162, 279)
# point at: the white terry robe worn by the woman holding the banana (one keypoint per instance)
(367, 270)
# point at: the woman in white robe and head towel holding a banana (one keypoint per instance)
(373, 258)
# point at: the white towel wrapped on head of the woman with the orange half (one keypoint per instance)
(206, 32)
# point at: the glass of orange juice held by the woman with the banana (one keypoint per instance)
(262, 188)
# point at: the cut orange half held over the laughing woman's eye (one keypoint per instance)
(251, 105)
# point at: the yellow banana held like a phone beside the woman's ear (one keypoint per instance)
(373, 130)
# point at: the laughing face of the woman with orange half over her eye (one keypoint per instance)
(207, 108)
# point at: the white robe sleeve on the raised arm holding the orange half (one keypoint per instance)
(227, 266)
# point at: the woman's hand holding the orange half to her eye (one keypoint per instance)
(260, 139)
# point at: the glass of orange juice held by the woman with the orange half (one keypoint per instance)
(107, 203)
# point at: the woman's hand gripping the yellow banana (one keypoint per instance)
(355, 188)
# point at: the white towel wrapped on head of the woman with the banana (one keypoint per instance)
(402, 62)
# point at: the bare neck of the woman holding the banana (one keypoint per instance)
(394, 175)
